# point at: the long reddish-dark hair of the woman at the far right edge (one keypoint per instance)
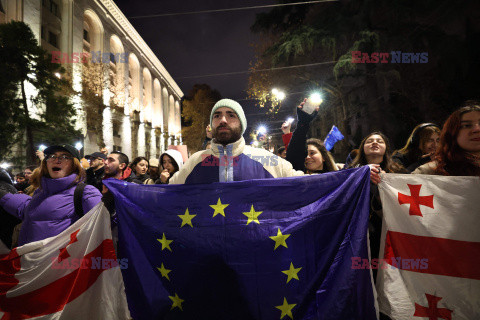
(451, 158)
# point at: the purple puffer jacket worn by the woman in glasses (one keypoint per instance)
(50, 210)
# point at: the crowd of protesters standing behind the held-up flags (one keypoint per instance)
(48, 198)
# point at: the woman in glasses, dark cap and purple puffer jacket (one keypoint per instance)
(51, 209)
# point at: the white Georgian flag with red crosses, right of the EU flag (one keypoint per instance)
(431, 244)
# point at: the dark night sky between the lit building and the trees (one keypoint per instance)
(202, 44)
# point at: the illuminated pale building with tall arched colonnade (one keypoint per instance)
(142, 102)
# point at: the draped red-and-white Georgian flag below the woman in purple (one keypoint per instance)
(74, 275)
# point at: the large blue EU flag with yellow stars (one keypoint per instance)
(258, 249)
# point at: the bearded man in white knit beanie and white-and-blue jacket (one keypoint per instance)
(229, 159)
